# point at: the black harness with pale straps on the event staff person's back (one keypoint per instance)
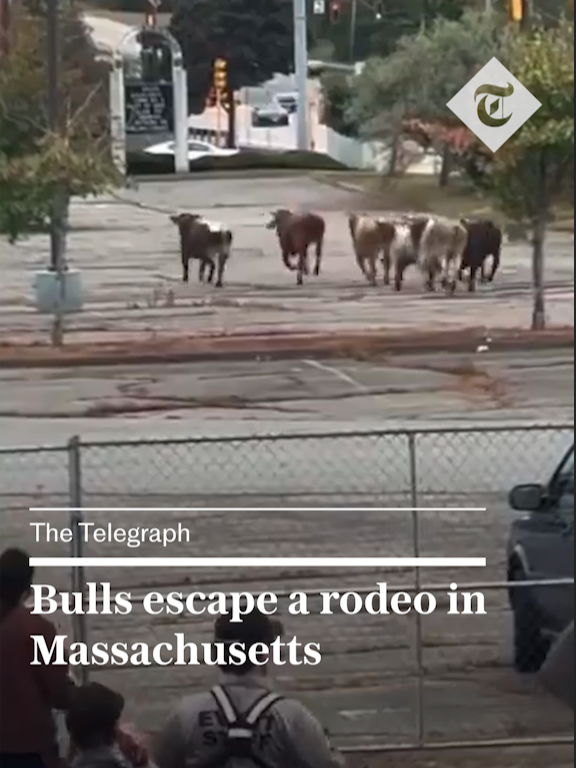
(241, 729)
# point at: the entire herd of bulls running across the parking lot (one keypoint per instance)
(443, 250)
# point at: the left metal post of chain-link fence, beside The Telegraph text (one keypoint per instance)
(76, 517)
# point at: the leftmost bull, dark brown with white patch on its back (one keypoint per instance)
(204, 241)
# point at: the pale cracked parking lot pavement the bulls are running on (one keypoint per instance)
(128, 255)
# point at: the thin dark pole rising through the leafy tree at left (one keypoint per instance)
(57, 212)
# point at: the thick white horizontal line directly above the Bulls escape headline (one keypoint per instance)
(259, 562)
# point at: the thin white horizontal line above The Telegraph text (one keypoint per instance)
(257, 509)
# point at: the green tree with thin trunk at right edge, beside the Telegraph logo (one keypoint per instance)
(534, 171)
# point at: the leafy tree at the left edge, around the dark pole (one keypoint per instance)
(36, 165)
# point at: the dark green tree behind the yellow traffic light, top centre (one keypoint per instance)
(254, 36)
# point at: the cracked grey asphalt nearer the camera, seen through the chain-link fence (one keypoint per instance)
(365, 688)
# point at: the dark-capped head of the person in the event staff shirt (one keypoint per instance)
(255, 628)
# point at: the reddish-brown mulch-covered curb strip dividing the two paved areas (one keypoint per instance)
(283, 346)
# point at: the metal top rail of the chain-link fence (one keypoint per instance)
(407, 432)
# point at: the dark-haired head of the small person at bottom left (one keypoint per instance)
(93, 716)
